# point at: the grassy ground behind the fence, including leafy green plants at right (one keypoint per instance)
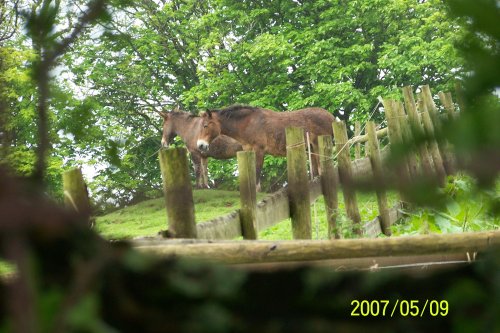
(466, 210)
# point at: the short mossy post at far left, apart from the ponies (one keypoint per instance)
(75, 193)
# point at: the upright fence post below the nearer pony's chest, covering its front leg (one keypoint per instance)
(248, 194)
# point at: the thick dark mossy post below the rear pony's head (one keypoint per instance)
(178, 192)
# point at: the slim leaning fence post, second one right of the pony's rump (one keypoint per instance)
(376, 163)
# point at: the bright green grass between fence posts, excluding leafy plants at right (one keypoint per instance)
(149, 217)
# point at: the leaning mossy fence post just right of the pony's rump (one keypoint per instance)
(345, 175)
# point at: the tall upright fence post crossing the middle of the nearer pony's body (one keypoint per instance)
(298, 183)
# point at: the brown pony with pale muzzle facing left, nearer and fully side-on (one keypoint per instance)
(262, 130)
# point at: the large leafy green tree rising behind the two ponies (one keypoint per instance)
(286, 55)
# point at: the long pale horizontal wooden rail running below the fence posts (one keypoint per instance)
(233, 252)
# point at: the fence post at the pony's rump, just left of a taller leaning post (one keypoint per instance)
(329, 183)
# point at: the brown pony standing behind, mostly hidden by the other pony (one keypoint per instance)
(188, 127)
